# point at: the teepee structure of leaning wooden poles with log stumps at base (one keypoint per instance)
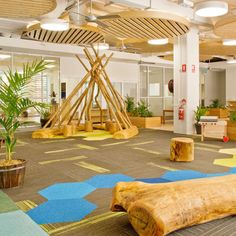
(63, 120)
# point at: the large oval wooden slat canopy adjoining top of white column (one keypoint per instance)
(145, 25)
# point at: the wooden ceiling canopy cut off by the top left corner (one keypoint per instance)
(25, 8)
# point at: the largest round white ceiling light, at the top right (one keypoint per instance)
(211, 8)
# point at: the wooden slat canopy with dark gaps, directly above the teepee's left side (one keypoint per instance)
(71, 36)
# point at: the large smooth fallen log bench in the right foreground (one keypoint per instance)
(159, 209)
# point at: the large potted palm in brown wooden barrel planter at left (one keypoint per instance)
(13, 102)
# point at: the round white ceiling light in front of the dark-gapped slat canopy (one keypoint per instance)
(54, 24)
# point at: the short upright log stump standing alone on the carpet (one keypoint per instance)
(182, 149)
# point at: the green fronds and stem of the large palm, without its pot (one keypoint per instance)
(14, 101)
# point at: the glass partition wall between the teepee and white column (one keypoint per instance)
(154, 88)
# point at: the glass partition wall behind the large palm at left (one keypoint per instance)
(42, 86)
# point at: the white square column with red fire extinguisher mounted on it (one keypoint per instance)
(186, 84)
